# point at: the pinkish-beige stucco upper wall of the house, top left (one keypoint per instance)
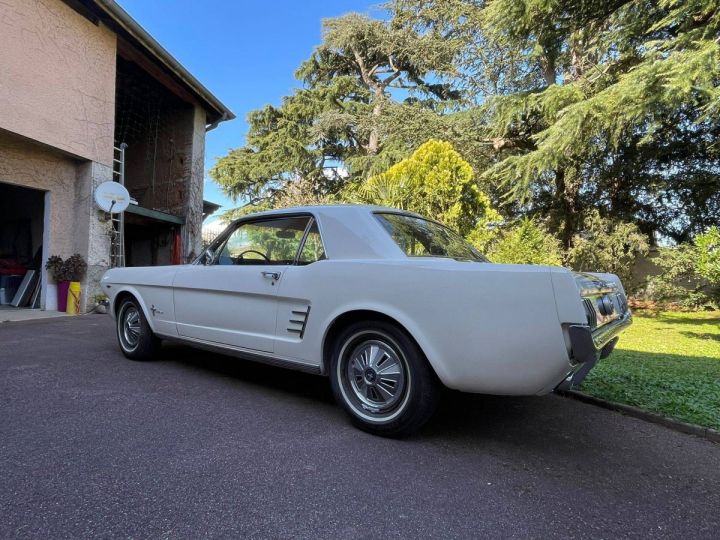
(57, 77)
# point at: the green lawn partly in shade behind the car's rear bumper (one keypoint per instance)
(668, 363)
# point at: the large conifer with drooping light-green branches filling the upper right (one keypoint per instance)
(593, 104)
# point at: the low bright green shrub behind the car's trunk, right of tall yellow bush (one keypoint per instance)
(528, 242)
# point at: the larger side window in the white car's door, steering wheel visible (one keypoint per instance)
(275, 241)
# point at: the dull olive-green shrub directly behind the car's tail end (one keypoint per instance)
(607, 245)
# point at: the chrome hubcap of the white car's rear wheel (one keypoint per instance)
(376, 375)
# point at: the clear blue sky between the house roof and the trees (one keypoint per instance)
(244, 52)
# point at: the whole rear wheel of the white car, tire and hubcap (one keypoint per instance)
(382, 379)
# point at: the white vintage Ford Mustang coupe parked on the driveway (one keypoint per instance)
(388, 304)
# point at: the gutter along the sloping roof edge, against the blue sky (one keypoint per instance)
(127, 23)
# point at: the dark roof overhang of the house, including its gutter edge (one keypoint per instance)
(116, 18)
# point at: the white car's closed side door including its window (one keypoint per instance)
(232, 298)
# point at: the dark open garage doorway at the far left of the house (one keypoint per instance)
(22, 228)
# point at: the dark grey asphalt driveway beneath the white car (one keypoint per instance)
(197, 445)
